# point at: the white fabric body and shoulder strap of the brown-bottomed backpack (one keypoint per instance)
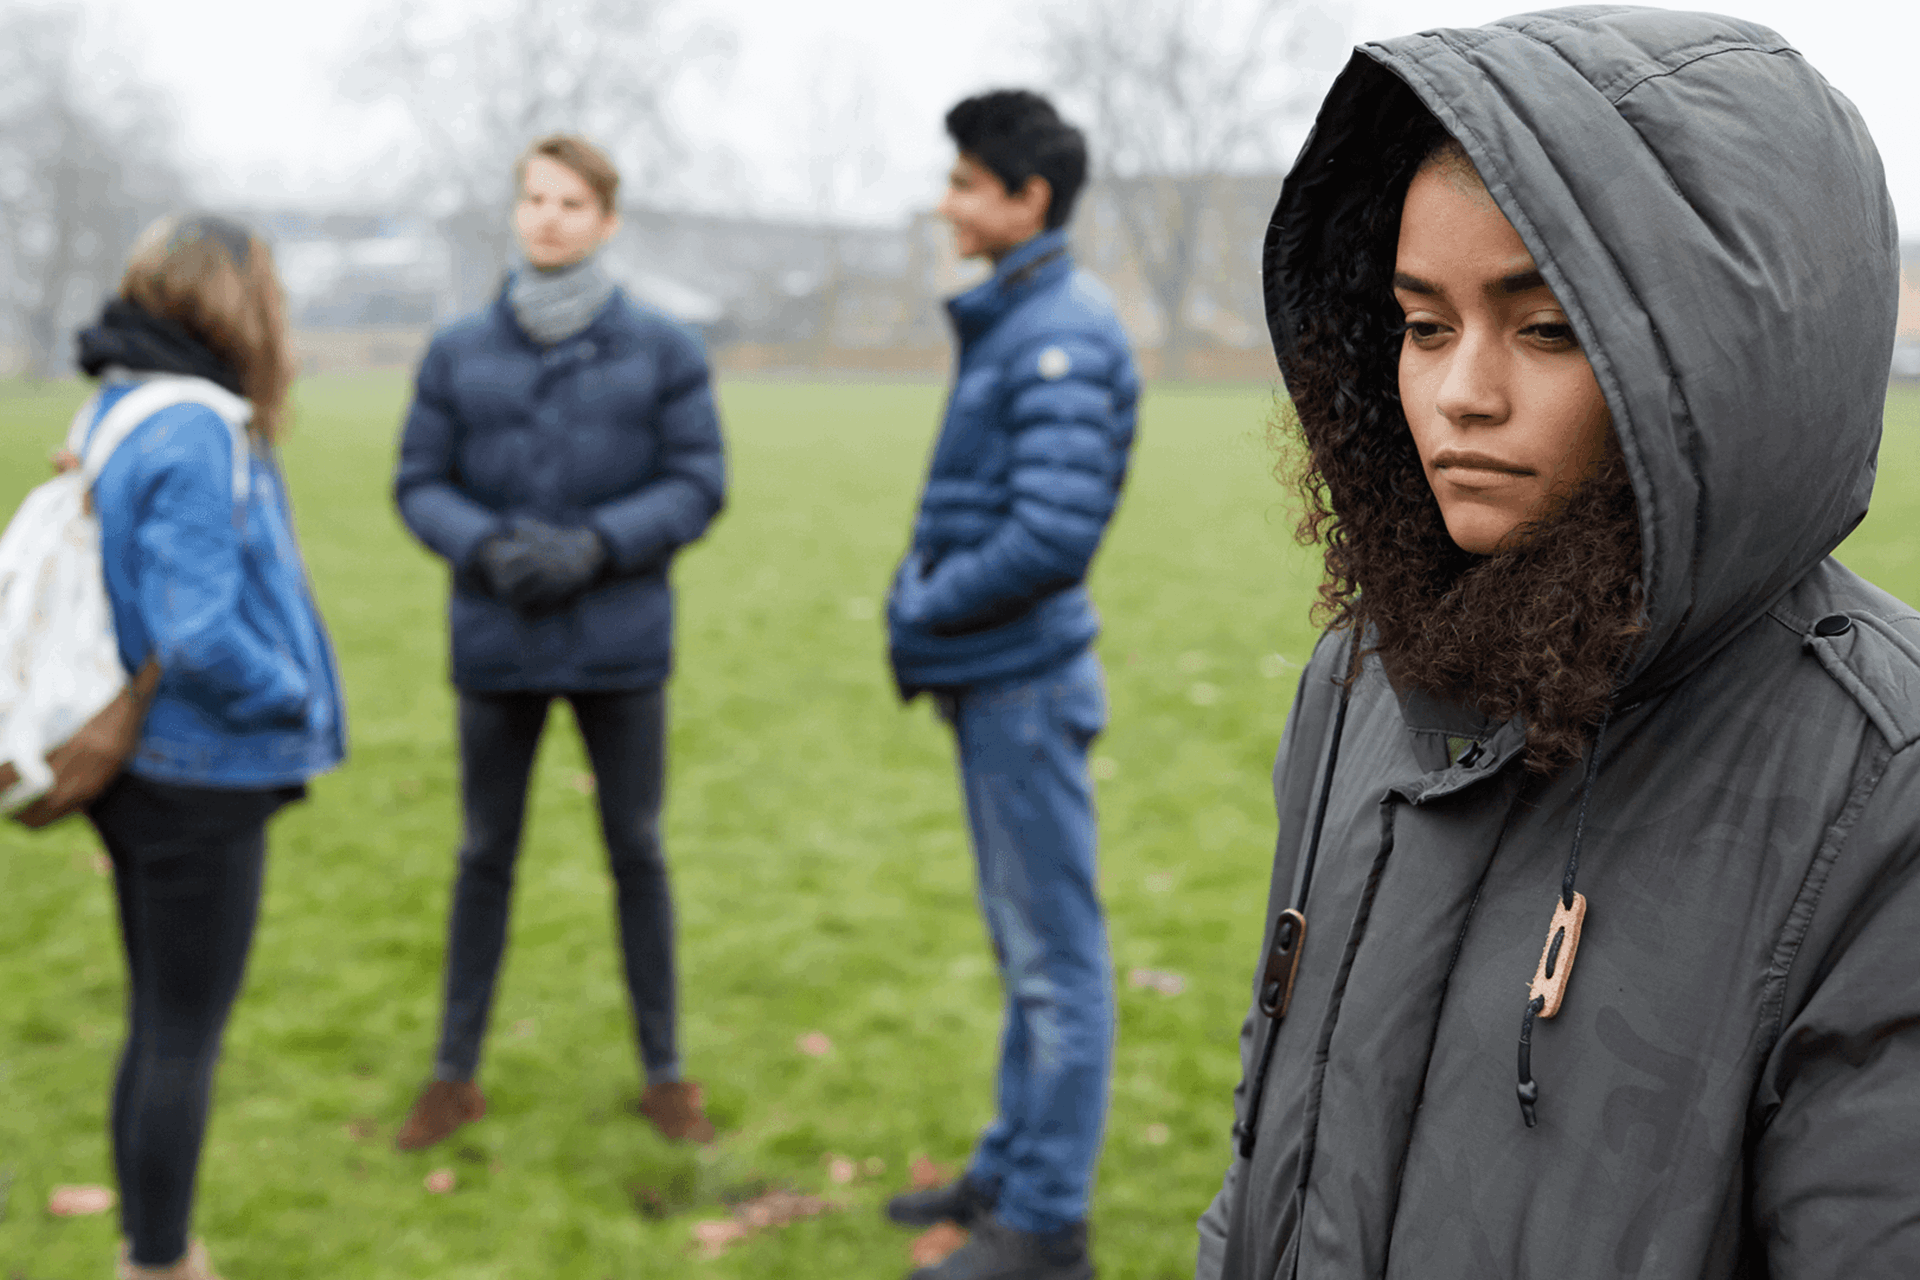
(59, 653)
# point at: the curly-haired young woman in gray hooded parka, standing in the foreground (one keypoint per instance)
(1591, 945)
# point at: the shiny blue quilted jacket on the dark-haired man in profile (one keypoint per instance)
(1024, 479)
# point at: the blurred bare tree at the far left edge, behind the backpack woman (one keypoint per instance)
(87, 156)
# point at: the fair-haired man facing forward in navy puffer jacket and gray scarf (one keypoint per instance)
(560, 452)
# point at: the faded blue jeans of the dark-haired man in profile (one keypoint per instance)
(1030, 805)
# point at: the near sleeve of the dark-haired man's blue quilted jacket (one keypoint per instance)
(1065, 402)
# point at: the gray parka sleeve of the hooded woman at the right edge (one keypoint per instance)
(1836, 1168)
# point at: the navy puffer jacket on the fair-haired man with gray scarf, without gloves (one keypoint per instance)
(613, 429)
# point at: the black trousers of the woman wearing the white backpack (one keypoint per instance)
(187, 868)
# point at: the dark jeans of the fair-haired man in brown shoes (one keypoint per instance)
(625, 736)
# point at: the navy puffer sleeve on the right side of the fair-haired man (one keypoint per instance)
(644, 529)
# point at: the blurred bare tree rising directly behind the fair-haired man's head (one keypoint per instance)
(483, 83)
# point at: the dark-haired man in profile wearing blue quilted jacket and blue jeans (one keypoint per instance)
(990, 615)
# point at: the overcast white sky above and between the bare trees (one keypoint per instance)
(256, 83)
